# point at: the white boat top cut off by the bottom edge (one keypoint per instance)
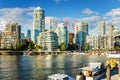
(60, 77)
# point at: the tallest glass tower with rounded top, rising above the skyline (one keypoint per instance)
(38, 22)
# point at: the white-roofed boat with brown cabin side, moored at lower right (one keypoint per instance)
(94, 71)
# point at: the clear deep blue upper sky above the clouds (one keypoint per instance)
(70, 7)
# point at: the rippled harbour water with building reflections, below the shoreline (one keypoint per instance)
(40, 66)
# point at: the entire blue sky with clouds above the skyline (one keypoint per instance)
(90, 11)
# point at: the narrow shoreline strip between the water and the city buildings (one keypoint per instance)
(5, 52)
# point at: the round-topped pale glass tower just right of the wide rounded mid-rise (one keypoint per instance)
(62, 34)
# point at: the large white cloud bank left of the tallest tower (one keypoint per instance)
(23, 16)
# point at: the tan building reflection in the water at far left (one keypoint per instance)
(8, 68)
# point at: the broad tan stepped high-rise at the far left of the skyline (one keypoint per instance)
(11, 35)
